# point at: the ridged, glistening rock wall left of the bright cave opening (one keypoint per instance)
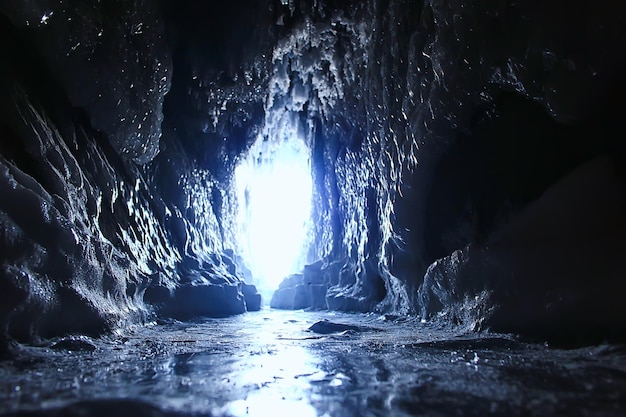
(96, 232)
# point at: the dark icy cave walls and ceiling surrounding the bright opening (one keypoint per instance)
(468, 163)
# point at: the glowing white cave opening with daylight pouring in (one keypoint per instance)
(274, 187)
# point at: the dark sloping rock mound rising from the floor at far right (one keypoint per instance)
(552, 272)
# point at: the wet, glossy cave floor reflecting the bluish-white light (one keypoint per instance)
(269, 364)
